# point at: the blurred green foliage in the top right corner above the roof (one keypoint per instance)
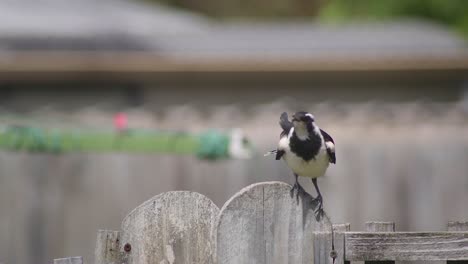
(453, 13)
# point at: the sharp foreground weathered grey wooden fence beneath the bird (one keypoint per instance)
(261, 224)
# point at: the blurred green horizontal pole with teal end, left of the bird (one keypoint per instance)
(208, 145)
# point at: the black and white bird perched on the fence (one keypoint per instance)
(306, 149)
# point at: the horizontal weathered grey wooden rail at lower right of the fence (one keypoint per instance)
(406, 246)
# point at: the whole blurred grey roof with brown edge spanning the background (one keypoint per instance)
(129, 36)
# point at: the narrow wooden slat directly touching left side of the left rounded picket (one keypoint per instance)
(107, 247)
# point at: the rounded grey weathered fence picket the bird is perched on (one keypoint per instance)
(263, 224)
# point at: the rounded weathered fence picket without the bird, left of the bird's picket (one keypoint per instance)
(173, 227)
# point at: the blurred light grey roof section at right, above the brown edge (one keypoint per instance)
(299, 40)
